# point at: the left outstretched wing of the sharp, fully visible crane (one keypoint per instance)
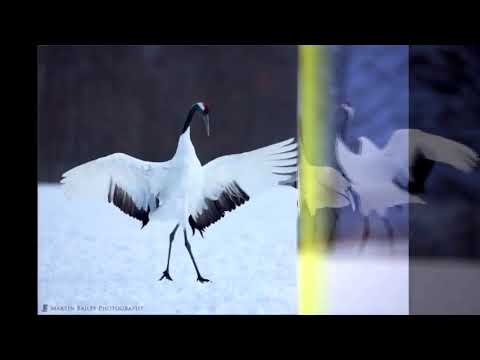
(130, 184)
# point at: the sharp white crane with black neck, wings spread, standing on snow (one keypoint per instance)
(181, 189)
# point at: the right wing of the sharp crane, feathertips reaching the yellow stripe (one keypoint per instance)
(229, 181)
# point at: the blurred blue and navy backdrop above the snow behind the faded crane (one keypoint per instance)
(433, 88)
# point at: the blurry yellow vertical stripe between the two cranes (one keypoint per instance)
(312, 106)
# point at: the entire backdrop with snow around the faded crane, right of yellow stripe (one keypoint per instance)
(435, 88)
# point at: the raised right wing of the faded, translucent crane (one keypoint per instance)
(423, 149)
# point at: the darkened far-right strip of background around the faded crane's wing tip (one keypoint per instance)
(445, 235)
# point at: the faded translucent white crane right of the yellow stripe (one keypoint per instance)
(375, 174)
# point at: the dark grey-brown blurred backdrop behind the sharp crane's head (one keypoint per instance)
(97, 100)
